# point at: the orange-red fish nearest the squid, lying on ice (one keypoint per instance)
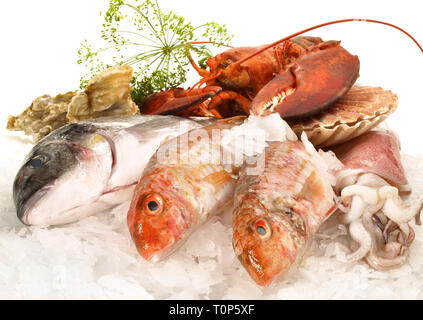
(278, 211)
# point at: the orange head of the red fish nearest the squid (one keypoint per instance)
(263, 243)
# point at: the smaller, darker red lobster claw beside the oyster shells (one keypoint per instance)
(177, 99)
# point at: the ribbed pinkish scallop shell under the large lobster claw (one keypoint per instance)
(359, 110)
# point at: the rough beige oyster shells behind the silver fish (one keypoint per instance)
(107, 94)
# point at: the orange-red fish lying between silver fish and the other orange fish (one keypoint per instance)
(172, 199)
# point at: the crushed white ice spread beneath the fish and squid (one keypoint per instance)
(95, 258)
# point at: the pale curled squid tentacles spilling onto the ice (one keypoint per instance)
(382, 243)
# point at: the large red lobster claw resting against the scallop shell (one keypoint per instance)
(311, 84)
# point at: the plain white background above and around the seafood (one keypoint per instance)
(40, 39)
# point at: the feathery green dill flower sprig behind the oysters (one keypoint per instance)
(154, 43)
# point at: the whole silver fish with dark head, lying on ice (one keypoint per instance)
(83, 168)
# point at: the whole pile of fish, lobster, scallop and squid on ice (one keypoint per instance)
(188, 164)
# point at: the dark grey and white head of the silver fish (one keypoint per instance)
(61, 174)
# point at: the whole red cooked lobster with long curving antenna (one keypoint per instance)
(301, 76)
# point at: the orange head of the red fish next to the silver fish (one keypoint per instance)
(159, 217)
